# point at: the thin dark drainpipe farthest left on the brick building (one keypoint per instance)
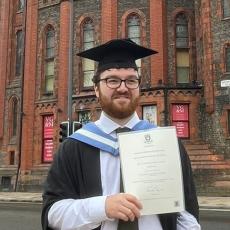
(21, 104)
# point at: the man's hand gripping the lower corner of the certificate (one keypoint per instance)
(122, 206)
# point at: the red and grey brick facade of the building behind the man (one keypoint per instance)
(109, 17)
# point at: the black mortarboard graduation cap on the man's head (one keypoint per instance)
(117, 53)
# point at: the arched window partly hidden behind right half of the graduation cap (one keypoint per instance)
(134, 33)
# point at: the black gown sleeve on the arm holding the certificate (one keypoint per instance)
(69, 176)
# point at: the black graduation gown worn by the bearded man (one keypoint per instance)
(75, 173)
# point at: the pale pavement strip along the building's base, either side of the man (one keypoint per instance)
(204, 202)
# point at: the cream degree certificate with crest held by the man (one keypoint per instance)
(151, 169)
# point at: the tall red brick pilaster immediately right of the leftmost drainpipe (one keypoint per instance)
(29, 86)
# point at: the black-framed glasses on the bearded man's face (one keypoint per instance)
(114, 83)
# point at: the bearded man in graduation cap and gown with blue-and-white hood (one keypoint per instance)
(83, 185)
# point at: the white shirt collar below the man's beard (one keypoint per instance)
(108, 126)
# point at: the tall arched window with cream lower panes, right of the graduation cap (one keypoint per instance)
(182, 49)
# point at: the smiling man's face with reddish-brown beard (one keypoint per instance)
(121, 102)
